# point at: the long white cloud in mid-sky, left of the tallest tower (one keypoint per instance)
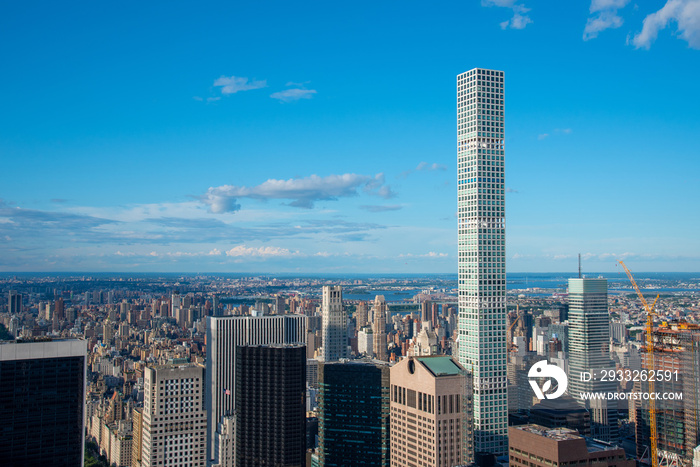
(303, 192)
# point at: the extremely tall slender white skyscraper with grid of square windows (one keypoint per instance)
(481, 250)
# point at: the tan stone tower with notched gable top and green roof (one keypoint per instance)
(429, 401)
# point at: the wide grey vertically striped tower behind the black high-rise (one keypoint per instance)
(224, 334)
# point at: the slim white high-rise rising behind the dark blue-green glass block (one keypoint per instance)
(335, 325)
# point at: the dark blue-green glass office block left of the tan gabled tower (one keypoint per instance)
(354, 414)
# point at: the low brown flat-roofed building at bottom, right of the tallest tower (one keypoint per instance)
(538, 446)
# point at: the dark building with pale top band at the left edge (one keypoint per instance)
(42, 402)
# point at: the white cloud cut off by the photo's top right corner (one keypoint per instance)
(685, 13)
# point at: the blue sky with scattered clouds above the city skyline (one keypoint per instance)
(320, 136)
